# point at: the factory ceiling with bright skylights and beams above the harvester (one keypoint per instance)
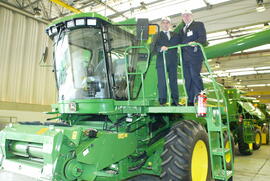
(224, 19)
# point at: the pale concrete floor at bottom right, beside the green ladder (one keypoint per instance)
(255, 167)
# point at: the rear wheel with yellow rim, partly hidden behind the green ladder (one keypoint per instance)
(229, 158)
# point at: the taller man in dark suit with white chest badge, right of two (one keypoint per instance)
(193, 31)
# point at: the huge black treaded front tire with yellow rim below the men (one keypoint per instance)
(181, 150)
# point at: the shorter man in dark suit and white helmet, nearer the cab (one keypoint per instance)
(165, 39)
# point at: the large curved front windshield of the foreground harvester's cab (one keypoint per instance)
(80, 64)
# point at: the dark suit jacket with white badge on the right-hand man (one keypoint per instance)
(195, 32)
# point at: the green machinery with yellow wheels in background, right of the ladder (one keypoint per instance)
(249, 121)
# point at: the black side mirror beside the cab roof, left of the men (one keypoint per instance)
(142, 29)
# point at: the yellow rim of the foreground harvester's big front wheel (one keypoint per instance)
(199, 162)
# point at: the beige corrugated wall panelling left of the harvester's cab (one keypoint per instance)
(22, 44)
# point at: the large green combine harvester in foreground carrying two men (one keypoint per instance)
(110, 125)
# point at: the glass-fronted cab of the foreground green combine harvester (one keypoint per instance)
(90, 55)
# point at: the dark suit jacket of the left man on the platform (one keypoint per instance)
(160, 40)
